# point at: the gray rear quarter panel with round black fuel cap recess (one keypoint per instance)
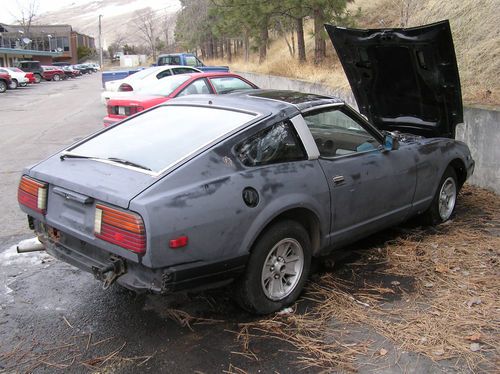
(203, 200)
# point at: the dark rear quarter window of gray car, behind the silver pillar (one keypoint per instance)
(278, 143)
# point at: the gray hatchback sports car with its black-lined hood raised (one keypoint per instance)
(249, 186)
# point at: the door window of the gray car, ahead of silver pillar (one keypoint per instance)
(337, 134)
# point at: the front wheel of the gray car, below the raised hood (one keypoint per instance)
(444, 201)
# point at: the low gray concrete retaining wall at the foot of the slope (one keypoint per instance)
(481, 128)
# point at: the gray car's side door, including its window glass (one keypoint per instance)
(369, 188)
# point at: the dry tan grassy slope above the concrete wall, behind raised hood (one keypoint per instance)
(476, 33)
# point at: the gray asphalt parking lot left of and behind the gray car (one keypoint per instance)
(53, 315)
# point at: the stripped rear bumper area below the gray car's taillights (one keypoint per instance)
(137, 277)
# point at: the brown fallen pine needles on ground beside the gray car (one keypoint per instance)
(451, 311)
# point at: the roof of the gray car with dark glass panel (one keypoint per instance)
(260, 100)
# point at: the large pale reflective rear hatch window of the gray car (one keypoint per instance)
(159, 138)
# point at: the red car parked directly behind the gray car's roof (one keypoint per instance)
(170, 87)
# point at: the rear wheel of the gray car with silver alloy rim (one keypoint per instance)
(270, 282)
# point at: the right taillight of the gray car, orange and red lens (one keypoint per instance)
(125, 229)
